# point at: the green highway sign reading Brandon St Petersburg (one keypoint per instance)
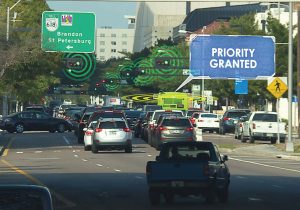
(68, 32)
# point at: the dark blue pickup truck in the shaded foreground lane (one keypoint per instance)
(188, 168)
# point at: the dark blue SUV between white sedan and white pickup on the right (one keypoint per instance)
(230, 118)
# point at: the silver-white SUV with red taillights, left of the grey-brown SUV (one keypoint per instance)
(112, 134)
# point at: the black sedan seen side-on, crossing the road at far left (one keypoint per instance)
(33, 121)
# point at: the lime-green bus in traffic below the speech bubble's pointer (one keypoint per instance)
(173, 100)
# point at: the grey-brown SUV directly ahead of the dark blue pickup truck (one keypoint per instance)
(173, 128)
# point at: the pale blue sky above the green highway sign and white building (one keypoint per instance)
(107, 14)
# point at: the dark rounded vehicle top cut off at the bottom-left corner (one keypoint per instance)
(35, 197)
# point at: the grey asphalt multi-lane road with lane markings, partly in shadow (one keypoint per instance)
(115, 180)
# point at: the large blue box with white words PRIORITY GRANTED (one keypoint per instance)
(232, 57)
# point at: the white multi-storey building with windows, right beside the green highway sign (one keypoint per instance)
(110, 42)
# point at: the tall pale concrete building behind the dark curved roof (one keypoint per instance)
(156, 20)
